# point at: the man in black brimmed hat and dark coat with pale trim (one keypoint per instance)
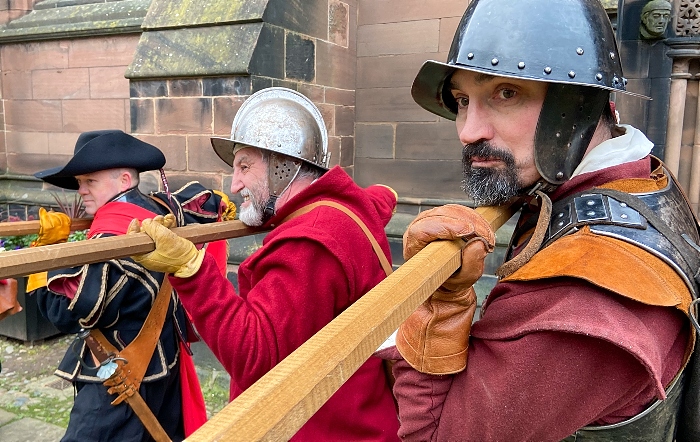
(110, 301)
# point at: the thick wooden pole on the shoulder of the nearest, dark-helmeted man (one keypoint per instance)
(275, 407)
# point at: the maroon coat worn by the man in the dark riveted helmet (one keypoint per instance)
(549, 357)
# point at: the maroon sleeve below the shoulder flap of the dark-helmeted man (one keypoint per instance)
(543, 386)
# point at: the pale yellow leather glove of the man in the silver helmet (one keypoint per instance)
(173, 254)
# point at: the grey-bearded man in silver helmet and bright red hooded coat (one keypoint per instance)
(326, 248)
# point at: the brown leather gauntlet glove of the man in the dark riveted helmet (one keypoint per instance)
(434, 339)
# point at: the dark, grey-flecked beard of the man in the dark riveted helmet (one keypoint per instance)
(489, 186)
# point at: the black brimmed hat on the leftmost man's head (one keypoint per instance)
(101, 150)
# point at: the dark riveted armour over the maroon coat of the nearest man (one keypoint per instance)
(650, 221)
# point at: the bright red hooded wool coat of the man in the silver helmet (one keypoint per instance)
(308, 271)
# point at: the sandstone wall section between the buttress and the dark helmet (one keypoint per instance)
(417, 151)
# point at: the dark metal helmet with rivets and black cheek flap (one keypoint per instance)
(567, 43)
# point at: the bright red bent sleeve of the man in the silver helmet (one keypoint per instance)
(296, 285)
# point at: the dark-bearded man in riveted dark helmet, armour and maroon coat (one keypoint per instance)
(587, 332)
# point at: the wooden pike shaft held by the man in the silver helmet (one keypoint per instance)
(58, 256)
